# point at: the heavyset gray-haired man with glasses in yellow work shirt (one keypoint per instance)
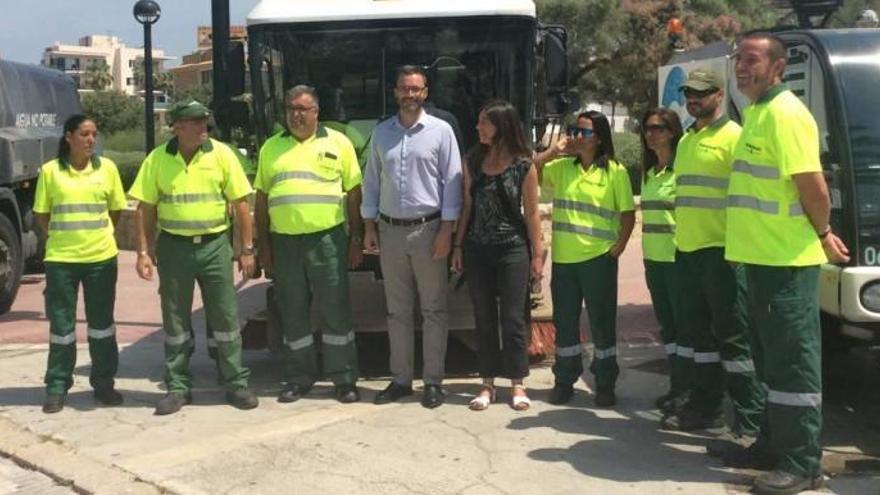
(303, 177)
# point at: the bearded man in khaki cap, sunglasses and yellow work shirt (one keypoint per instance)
(714, 305)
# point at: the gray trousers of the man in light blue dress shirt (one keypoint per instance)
(407, 267)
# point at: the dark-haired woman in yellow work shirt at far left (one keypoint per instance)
(78, 200)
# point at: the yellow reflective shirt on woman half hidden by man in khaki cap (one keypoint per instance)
(658, 215)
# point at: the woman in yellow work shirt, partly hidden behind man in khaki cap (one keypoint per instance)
(660, 133)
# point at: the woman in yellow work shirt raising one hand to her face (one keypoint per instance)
(593, 217)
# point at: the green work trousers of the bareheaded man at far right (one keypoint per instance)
(788, 354)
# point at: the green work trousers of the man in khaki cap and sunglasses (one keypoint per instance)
(716, 321)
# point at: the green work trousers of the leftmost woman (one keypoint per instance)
(99, 292)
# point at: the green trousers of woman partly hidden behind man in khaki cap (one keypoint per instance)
(665, 285)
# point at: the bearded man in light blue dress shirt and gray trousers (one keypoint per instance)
(411, 199)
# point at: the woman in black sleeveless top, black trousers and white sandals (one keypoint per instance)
(499, 247)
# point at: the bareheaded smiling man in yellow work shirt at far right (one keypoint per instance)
(778, 212)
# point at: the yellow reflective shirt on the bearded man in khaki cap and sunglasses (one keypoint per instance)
(702, 167)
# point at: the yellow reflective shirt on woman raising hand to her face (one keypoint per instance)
(586, 207)
